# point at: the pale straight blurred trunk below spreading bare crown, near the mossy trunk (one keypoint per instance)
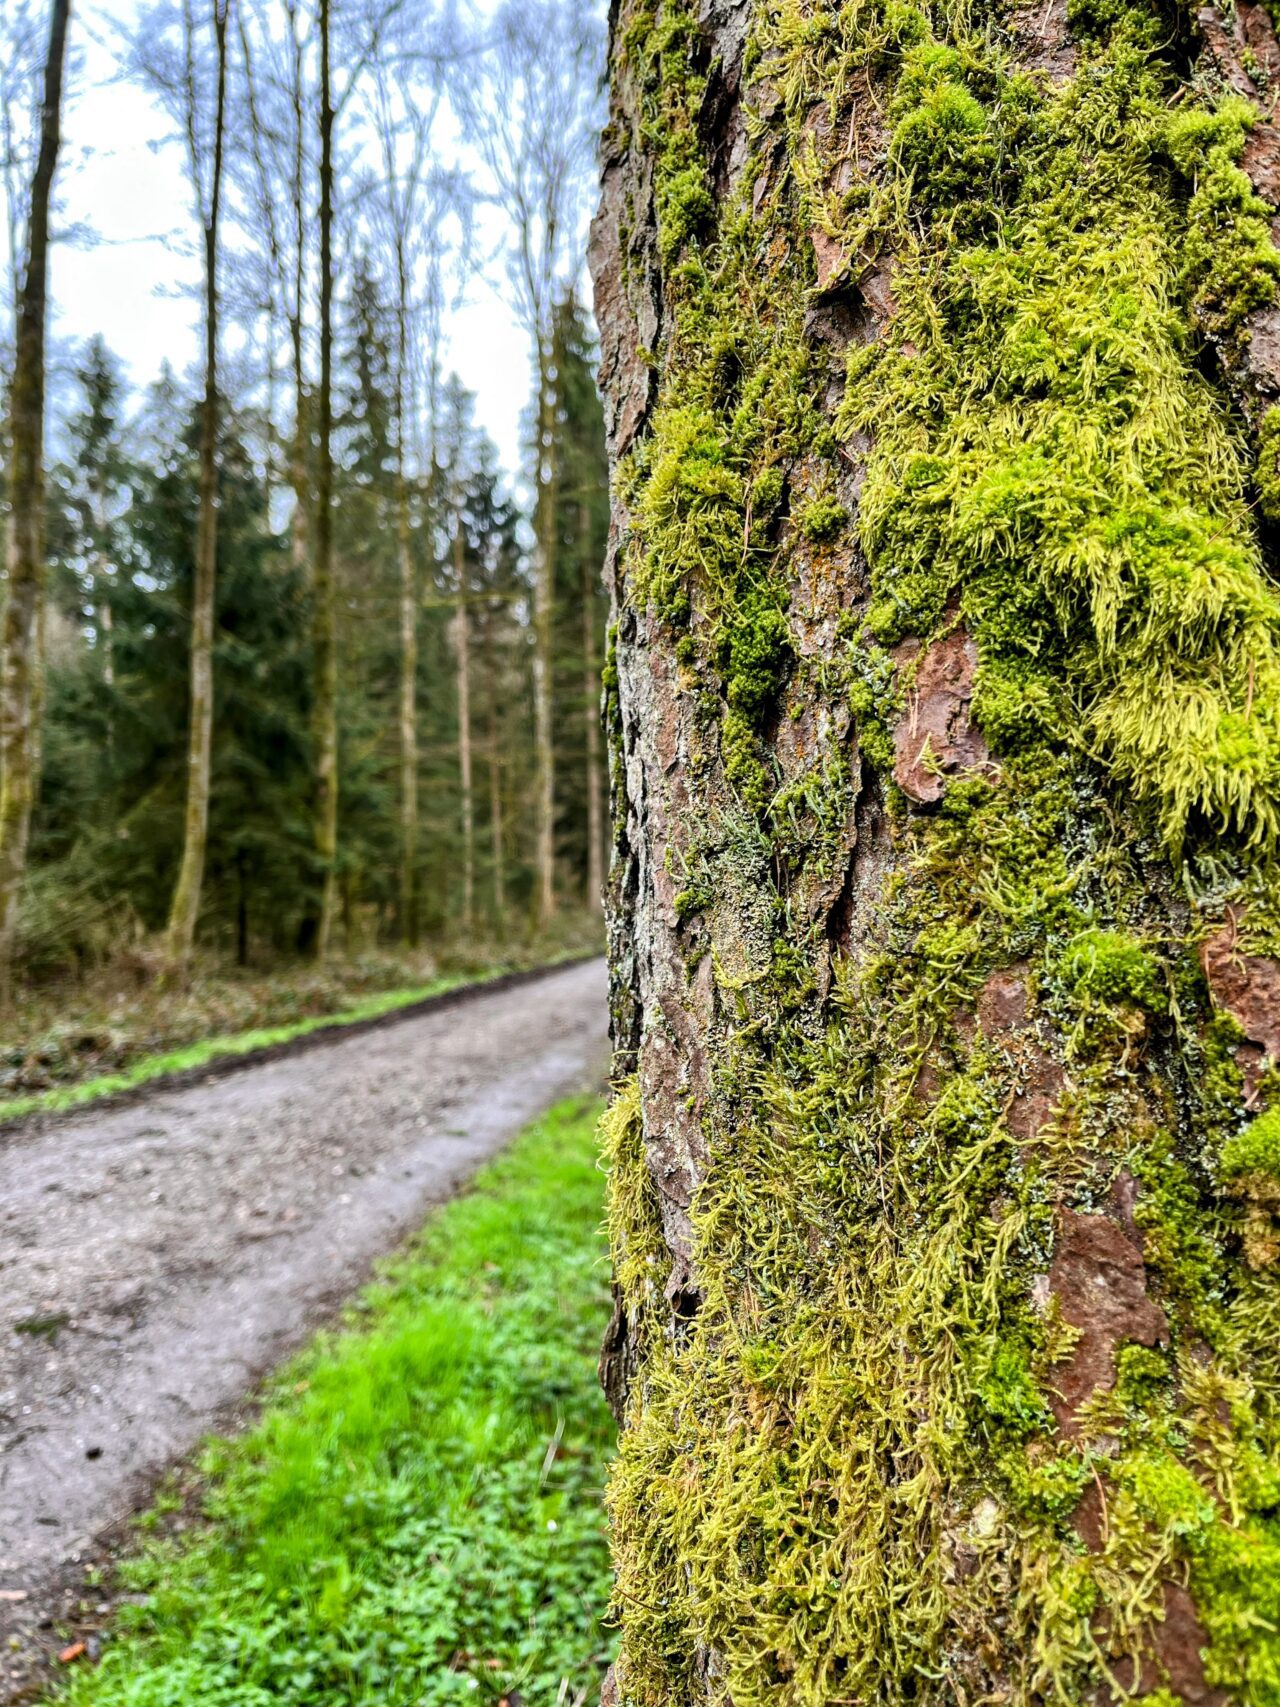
(544, 656)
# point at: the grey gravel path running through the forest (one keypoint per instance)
(158, 1259)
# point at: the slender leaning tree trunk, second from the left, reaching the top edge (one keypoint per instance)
(185, 907)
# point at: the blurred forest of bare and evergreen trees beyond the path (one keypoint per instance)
(294, 665)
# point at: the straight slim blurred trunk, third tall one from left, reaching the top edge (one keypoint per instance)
(323, 586)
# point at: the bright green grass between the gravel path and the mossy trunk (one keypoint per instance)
(417, 1517)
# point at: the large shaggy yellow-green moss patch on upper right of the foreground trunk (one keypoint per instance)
(1047, 458)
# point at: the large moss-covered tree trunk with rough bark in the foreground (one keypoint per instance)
(945, 738)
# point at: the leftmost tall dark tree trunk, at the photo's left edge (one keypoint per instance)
(20, 668)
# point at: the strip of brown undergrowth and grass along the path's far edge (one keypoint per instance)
(124, 1020)
